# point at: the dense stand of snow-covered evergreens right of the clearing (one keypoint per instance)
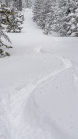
(57, 15)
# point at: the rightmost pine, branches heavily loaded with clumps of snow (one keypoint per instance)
(68, 21)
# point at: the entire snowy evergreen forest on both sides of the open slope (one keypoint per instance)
(51, 15)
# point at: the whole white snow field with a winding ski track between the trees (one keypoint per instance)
(39, 85)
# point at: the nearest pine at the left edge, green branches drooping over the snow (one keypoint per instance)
(3, 47)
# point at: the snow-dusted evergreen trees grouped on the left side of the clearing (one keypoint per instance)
(10, 21)
